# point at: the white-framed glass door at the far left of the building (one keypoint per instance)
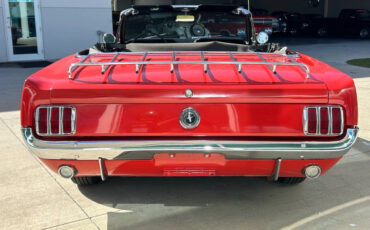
(23, 30)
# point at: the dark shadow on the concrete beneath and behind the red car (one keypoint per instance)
(219, 203)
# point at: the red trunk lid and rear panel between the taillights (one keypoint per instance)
(253, 102)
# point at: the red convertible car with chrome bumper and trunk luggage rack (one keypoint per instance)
(168, 97)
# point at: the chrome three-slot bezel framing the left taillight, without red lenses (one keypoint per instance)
(60, 128)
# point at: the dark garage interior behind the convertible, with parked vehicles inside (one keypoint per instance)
(294, 17)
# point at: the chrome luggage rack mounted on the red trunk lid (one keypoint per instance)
(238, 64)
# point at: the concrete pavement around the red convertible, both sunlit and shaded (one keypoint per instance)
(32, 197)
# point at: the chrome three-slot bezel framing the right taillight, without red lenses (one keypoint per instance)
(318, 120)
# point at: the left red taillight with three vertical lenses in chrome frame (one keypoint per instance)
(55, 120)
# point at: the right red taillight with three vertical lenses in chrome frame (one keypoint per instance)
(323, 120)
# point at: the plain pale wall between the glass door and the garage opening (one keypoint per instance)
(71, 25)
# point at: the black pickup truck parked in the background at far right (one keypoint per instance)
(351, 22)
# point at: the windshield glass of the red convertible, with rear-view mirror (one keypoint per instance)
(178, 26)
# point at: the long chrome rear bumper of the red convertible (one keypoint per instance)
(119, 150)
